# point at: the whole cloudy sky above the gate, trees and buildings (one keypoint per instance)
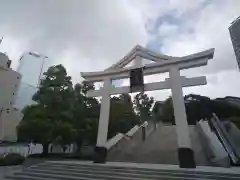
(90, 35)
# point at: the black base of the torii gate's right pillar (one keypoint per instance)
(186, 158)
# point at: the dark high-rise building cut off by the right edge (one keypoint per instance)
(234, 30)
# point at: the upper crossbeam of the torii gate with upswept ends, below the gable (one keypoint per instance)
(194, 60)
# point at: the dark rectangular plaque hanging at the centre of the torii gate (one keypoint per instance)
(136, 80)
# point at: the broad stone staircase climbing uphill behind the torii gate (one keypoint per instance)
(159, 148)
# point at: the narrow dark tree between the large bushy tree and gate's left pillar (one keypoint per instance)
(86, 112)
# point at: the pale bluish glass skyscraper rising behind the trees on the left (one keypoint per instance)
(30, 67)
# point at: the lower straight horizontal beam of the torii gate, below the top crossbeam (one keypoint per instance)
(186, 82)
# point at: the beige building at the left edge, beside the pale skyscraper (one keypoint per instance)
(9, 115)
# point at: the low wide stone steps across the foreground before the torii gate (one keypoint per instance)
(74, 170)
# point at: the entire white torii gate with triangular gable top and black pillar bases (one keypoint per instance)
(162, 63)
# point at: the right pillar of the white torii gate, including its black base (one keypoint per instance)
(185, 153)
